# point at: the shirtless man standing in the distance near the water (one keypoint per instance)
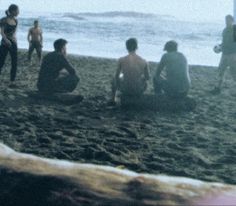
(35, 39)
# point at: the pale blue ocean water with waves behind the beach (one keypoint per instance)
(103, 34)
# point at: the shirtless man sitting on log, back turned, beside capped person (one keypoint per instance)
(132, 73)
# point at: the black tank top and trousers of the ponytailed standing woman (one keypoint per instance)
(9, 31)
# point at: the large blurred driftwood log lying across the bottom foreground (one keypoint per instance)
(31, 180)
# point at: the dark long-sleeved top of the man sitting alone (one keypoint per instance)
(51, 66)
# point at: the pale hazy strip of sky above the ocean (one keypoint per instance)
(192, 9)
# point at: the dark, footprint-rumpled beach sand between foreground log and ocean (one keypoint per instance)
(199, 144)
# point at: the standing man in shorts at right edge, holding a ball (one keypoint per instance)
(228, 58)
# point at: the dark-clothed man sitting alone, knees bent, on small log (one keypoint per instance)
(56, 74)
